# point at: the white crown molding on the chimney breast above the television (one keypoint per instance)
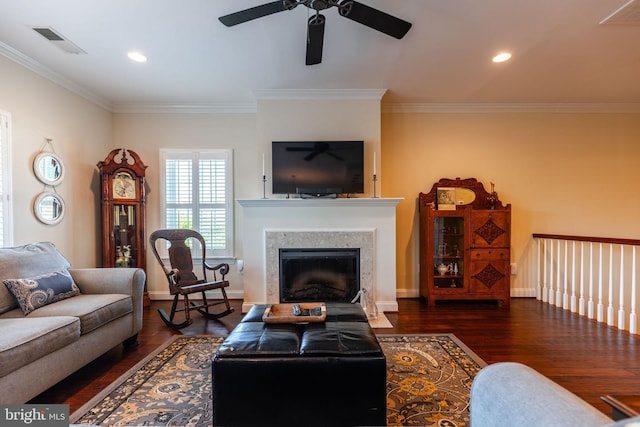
(320, 94)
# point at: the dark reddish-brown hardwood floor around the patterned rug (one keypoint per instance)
(586, 357)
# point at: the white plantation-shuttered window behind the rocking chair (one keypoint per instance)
(197, 195)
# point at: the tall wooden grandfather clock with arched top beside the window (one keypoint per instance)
(123, 210)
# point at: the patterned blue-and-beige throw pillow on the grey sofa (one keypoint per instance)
(35, 292)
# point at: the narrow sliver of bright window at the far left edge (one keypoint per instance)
(6, 225)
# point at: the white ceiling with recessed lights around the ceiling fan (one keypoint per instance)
(561, 52)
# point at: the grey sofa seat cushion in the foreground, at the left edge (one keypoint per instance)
(25, 340)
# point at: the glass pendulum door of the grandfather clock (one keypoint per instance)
(124, 235)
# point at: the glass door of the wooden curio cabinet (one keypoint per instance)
(448, 255)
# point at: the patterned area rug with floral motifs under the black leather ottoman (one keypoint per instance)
(428, 383)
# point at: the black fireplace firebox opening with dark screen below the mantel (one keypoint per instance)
(319, 274)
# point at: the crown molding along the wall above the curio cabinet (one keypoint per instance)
(633, 108)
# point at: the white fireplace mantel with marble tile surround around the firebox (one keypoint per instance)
(368, 224)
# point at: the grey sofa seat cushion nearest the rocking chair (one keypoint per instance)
(93, 310)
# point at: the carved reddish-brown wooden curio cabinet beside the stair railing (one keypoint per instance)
(464, 245)
